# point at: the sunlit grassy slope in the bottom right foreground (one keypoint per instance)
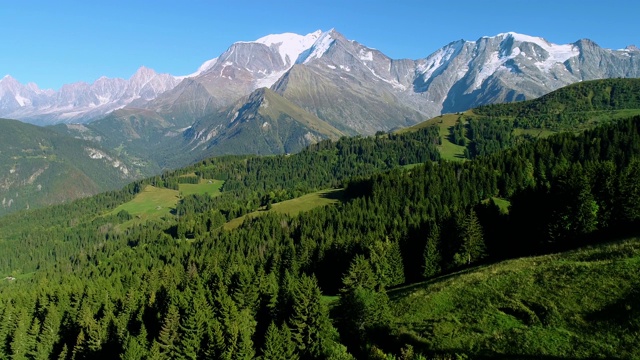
(584, 303)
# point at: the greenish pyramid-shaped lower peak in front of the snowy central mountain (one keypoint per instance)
(262, 123)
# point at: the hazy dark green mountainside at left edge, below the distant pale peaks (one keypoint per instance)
(40, 167)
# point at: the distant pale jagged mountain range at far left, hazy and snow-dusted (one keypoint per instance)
(79, 102)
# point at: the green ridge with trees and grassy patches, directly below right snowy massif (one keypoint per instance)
(577, 107)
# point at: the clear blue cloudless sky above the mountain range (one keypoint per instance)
(56, 42)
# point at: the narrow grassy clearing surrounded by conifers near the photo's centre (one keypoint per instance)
(293, 206)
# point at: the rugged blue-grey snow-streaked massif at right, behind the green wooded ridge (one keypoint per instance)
(511, 66)
